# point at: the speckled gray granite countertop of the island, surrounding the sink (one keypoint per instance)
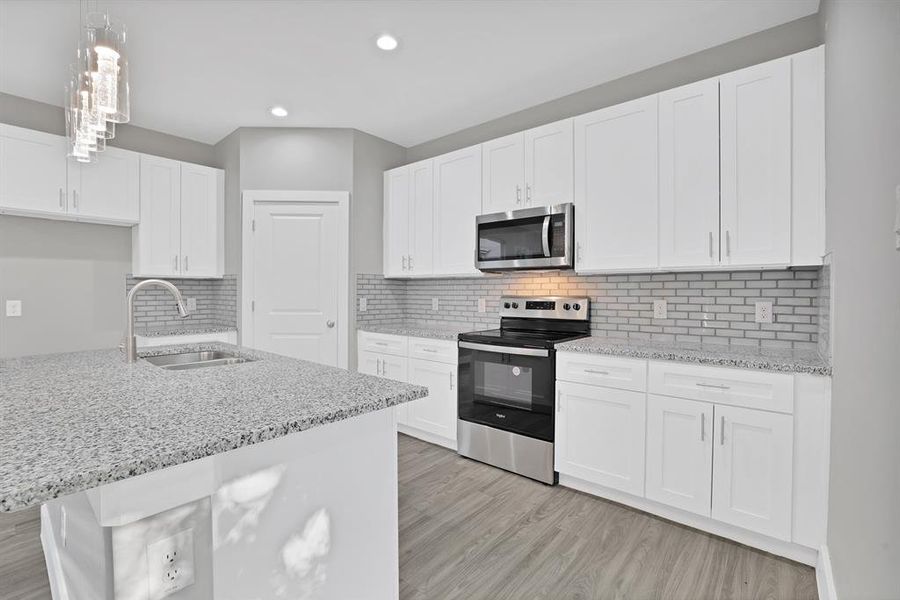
(74, 421)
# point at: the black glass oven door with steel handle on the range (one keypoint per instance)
(508, 388)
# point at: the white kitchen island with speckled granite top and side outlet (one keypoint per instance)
(261, 462)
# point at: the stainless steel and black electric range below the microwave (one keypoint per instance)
(507, 383)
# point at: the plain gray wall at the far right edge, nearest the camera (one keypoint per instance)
(862, 120)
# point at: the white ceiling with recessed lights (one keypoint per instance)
(201, 68)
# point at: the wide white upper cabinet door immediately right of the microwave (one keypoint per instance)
(616, 187)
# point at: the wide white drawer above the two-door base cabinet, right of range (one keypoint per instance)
(735, 387)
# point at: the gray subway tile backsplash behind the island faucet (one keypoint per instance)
(216, 303)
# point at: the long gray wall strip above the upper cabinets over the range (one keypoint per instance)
(795, 36)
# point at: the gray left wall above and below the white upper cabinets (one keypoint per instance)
(70, 276)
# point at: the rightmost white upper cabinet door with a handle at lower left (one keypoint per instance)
(756, 164)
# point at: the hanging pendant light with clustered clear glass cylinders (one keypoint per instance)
(97, 91)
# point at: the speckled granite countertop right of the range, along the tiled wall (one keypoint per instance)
(745, 357)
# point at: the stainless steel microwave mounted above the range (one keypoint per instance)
(531, 238)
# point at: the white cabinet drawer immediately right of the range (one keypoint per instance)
(597, 369)
